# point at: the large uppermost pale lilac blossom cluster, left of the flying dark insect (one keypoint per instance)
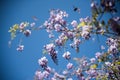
(56, 21)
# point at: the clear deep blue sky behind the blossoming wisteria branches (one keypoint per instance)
(22, 66)
